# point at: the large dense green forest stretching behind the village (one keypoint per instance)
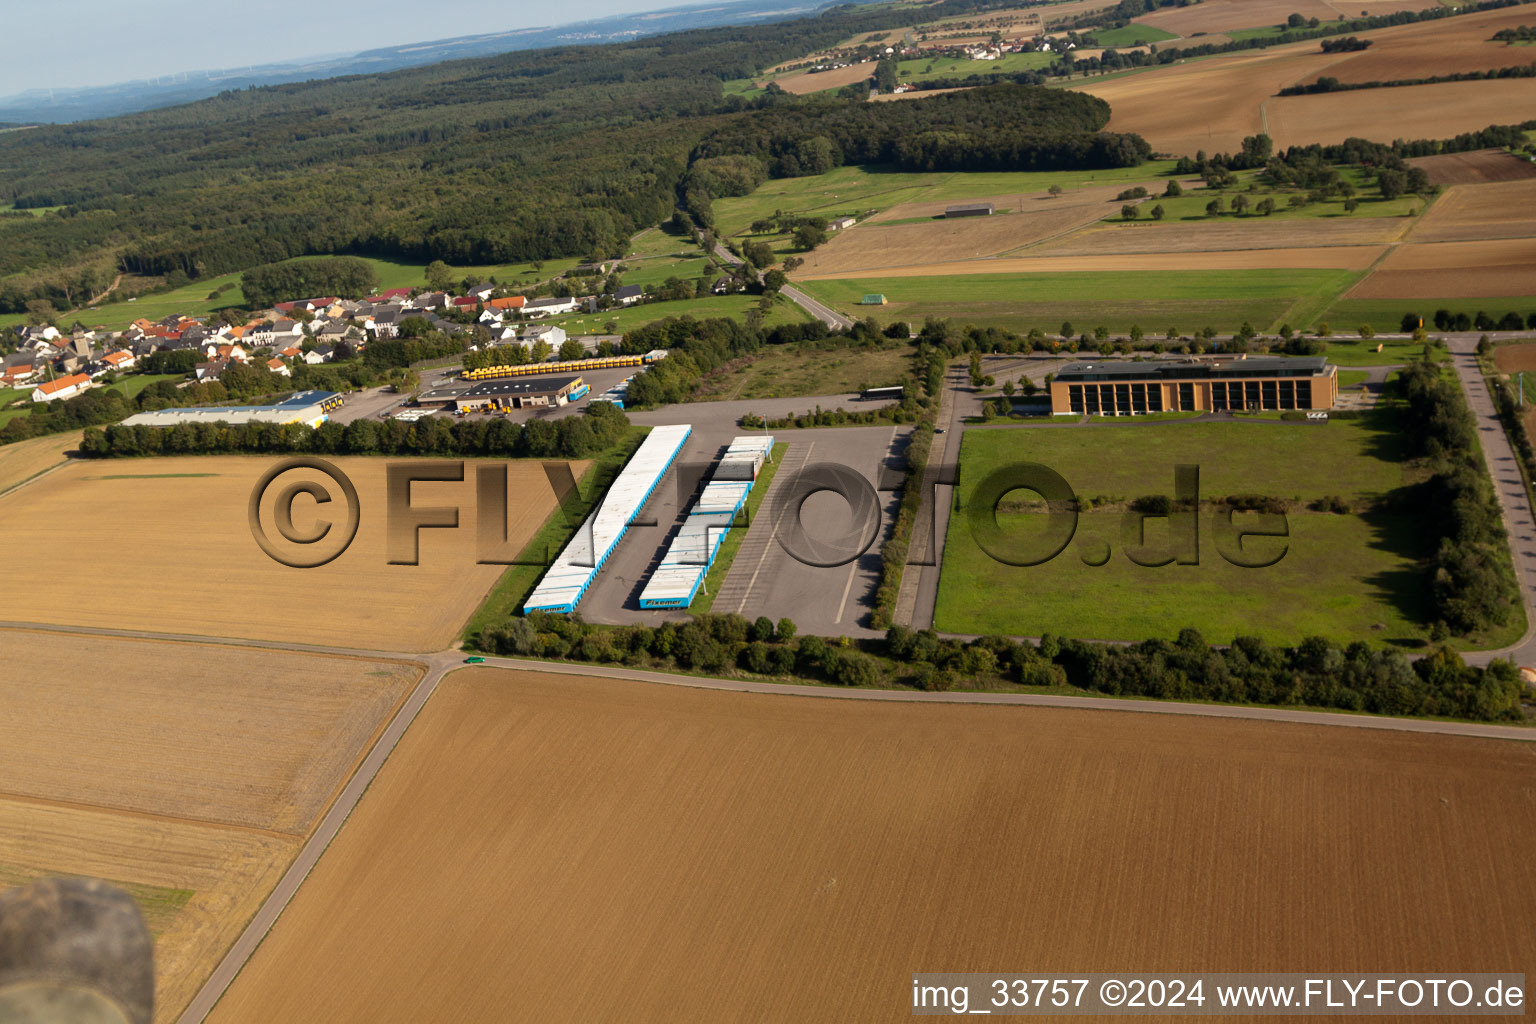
(538, 154)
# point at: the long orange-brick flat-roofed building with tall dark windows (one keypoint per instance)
(1230, 383)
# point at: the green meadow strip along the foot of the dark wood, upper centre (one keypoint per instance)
(852, 191)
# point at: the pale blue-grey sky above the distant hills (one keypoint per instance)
(64, 44)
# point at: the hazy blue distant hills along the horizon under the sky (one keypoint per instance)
(190, 85)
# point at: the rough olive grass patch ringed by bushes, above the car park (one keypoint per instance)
(812, 369)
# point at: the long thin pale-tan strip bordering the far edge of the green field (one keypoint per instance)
(1320, 259)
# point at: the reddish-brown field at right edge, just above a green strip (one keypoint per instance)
(1454, 269)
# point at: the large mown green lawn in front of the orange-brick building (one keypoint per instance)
(1348, 578)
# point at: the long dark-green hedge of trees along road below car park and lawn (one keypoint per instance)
(1314, 673)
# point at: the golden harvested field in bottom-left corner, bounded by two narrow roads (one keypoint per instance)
(190, 775)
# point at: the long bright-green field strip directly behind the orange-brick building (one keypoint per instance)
(1153, 300)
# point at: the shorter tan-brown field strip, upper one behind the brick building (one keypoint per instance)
(1228, 236)
